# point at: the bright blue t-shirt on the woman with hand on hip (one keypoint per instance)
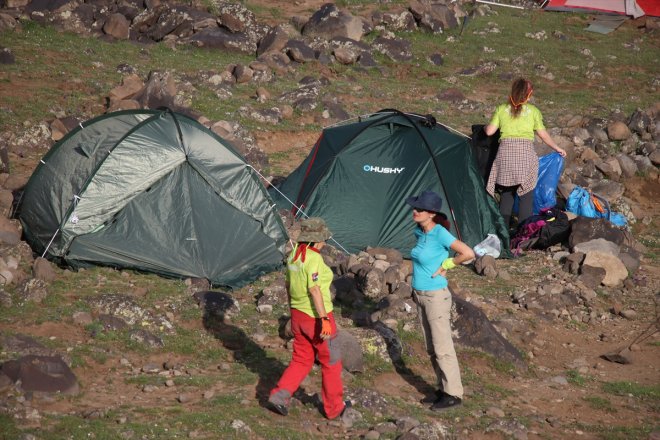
(431, 250)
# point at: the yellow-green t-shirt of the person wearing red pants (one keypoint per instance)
(301, 276)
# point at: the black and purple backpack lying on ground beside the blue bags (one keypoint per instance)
(549, 227)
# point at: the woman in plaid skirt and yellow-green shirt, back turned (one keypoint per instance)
(516, 165)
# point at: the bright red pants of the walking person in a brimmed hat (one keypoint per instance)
(308, 345)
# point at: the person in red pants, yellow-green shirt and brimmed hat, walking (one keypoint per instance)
(312, 323)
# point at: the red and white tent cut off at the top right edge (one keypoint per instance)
(636, 8)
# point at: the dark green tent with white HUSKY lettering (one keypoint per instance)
(359, 174)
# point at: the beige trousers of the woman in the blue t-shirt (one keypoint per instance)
(434, 308)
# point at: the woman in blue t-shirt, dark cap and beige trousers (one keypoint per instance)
(431, 261)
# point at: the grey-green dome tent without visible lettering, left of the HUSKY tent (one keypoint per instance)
(155, 191)
